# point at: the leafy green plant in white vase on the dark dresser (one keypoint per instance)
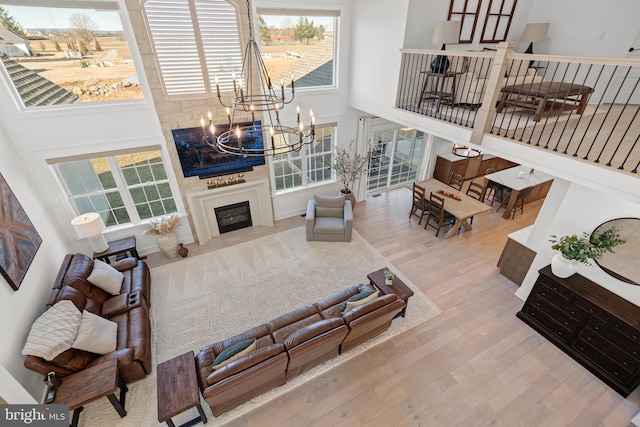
(574, 250)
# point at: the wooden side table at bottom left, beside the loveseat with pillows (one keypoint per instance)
(90, 384)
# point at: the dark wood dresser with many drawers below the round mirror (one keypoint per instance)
(597, 328)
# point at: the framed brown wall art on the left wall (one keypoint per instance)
(19, 240)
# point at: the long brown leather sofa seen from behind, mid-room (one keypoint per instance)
(290, 345)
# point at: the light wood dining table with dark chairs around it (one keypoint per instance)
(463, 209)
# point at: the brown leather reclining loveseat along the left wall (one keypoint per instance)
(130, 310)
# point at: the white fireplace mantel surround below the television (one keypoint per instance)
(203, 202)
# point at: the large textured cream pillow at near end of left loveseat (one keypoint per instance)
(54, 331)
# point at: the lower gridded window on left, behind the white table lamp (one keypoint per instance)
(123, 188)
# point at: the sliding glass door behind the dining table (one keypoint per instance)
(397, 153)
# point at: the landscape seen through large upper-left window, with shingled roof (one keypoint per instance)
(56, 55)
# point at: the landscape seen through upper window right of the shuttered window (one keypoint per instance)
(299, 46)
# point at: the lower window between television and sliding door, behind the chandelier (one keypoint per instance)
(309, 165)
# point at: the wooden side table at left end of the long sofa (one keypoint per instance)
(178, 389)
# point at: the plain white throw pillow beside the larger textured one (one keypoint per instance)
(96, 334)
